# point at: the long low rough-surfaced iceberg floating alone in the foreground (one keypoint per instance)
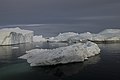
(73, 53)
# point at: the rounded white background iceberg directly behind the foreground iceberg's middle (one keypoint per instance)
(62, 37)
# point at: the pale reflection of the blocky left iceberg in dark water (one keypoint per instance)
(12, 52)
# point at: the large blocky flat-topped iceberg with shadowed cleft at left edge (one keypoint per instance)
(10, 36)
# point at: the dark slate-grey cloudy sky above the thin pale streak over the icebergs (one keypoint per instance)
(57, 11)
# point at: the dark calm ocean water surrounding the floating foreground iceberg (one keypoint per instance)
(100, 67)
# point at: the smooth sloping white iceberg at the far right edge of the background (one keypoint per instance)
(107, 35)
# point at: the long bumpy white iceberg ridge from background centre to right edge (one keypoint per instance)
(107, 35)
